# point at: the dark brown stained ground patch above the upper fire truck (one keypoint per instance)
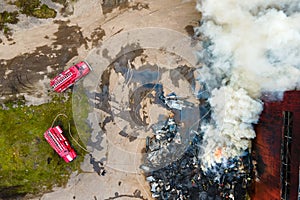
(21, 73)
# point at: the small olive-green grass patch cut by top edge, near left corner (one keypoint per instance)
(35, 9)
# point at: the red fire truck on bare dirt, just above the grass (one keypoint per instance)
(68, 77)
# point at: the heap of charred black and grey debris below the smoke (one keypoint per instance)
(172, 162)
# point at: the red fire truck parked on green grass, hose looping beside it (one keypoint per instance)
(60, 144)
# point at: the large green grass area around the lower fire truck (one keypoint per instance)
(27, 162)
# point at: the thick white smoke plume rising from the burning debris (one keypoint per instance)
(250, 47)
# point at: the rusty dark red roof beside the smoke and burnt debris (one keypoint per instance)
(276, 149)
